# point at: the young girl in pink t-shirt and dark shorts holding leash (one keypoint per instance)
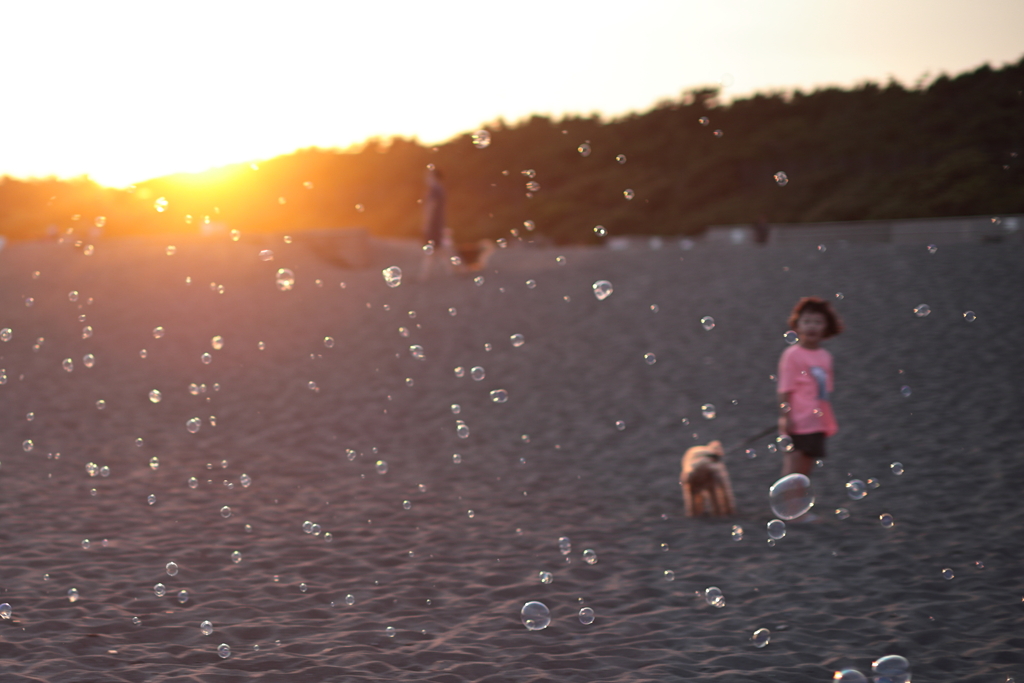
(805, 386)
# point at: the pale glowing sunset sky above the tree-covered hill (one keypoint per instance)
(125, 92)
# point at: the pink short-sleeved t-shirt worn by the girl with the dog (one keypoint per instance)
(807, 376)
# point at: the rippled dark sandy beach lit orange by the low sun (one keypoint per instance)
(448, 544)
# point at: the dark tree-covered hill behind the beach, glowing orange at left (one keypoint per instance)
(951, 148)
